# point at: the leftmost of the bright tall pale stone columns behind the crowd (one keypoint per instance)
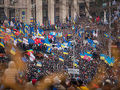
(39, 16)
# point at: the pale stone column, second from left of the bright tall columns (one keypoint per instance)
(51, 11)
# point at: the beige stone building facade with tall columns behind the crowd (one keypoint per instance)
(43, 11)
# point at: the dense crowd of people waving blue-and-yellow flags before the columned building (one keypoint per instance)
(77, 44)
